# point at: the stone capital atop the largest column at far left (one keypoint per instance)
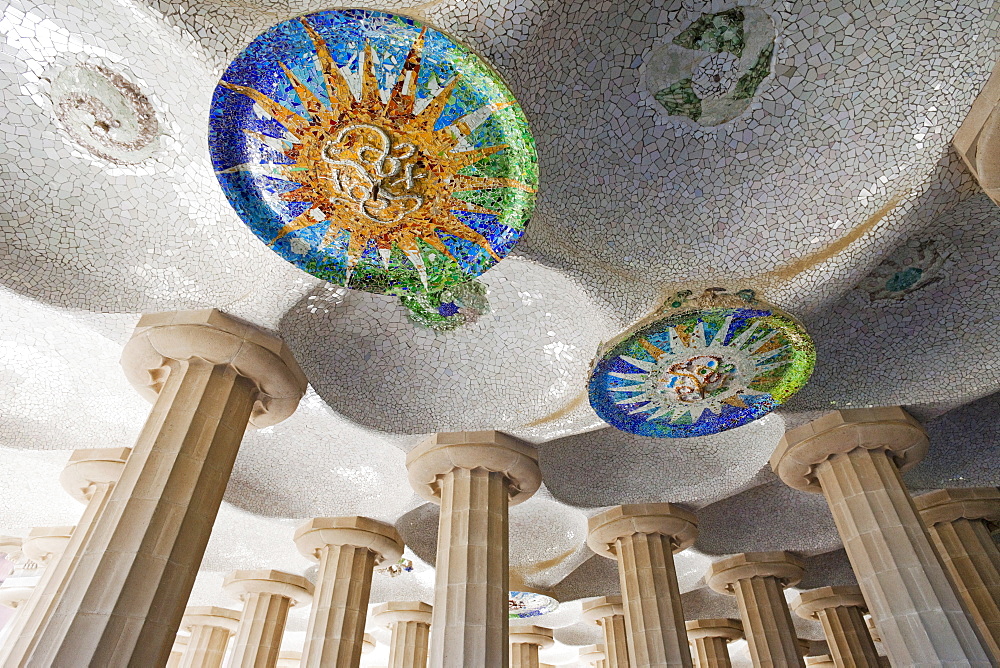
(220, 339)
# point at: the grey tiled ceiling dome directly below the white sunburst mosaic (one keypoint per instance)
(624, 468)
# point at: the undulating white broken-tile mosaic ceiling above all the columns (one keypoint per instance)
(799, 150)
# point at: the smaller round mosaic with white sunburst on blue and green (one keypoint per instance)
(709, 364)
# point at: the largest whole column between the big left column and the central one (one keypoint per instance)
(348, 549)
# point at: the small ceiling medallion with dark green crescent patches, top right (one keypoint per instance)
(711, 70)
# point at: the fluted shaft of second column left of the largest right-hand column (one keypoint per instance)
(767, 622)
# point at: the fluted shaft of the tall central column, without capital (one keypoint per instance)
(471, 585)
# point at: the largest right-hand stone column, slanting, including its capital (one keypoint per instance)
(854, 458)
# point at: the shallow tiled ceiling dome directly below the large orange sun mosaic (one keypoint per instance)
(524, 360)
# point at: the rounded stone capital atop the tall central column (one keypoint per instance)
(490, 450)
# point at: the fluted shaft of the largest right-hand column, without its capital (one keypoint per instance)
(910, 598)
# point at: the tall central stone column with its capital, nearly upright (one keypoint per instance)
(475, 476)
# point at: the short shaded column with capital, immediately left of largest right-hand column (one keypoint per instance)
(841, 611)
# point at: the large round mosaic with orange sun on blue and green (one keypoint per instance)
(373, 152)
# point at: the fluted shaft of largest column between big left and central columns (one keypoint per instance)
(340, 606)
